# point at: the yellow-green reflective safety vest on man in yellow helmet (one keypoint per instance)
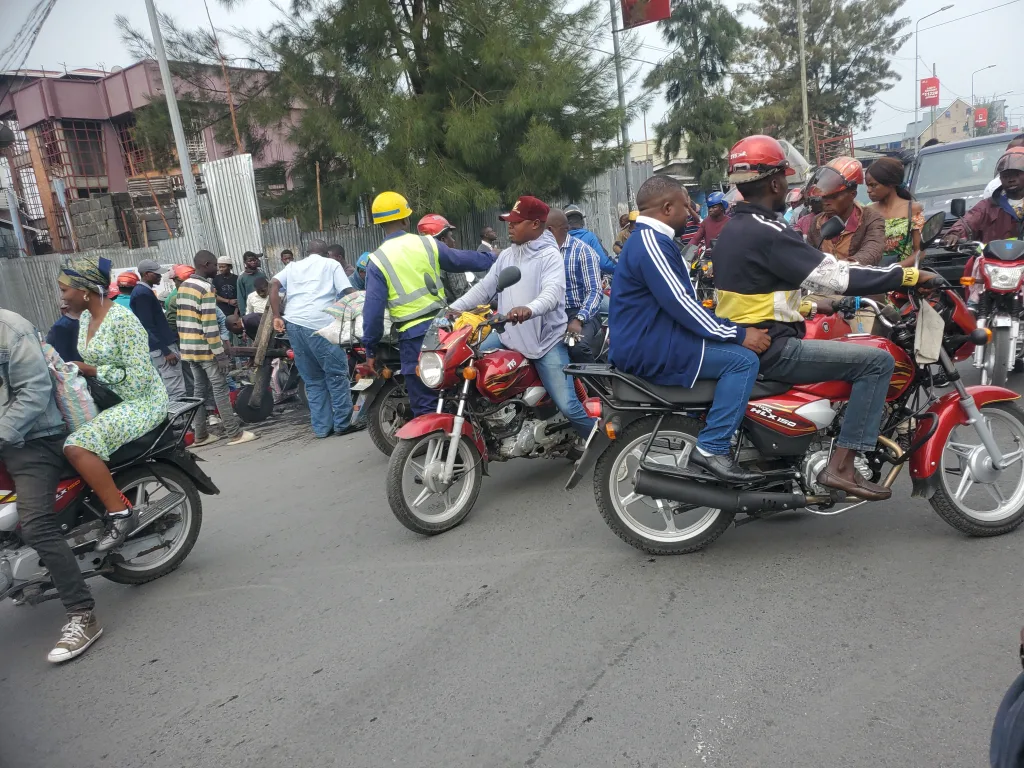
(404, 262)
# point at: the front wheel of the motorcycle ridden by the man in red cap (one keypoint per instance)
(420, 507)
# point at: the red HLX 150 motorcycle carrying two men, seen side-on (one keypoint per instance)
(964, 448)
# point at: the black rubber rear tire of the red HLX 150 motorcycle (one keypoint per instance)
(613, 460)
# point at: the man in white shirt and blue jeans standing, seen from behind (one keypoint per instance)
(313, 285)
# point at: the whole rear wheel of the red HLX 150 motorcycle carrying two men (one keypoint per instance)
(657, 527)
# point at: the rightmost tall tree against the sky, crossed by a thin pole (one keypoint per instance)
(848, 47)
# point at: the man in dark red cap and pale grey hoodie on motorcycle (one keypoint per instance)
(535, 306)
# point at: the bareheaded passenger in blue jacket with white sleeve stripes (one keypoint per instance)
(661, 332)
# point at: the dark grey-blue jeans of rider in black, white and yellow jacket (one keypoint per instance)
(807, 362)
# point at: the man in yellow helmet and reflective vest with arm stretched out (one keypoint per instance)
(395, 281)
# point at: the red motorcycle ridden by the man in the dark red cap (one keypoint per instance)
(492, 407)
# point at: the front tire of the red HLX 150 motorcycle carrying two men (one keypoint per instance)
(946, 503)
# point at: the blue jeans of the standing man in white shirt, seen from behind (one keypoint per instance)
(324, 368)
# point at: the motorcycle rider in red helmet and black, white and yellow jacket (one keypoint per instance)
(763, 264)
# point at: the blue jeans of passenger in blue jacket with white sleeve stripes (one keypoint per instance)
(736, 368)
